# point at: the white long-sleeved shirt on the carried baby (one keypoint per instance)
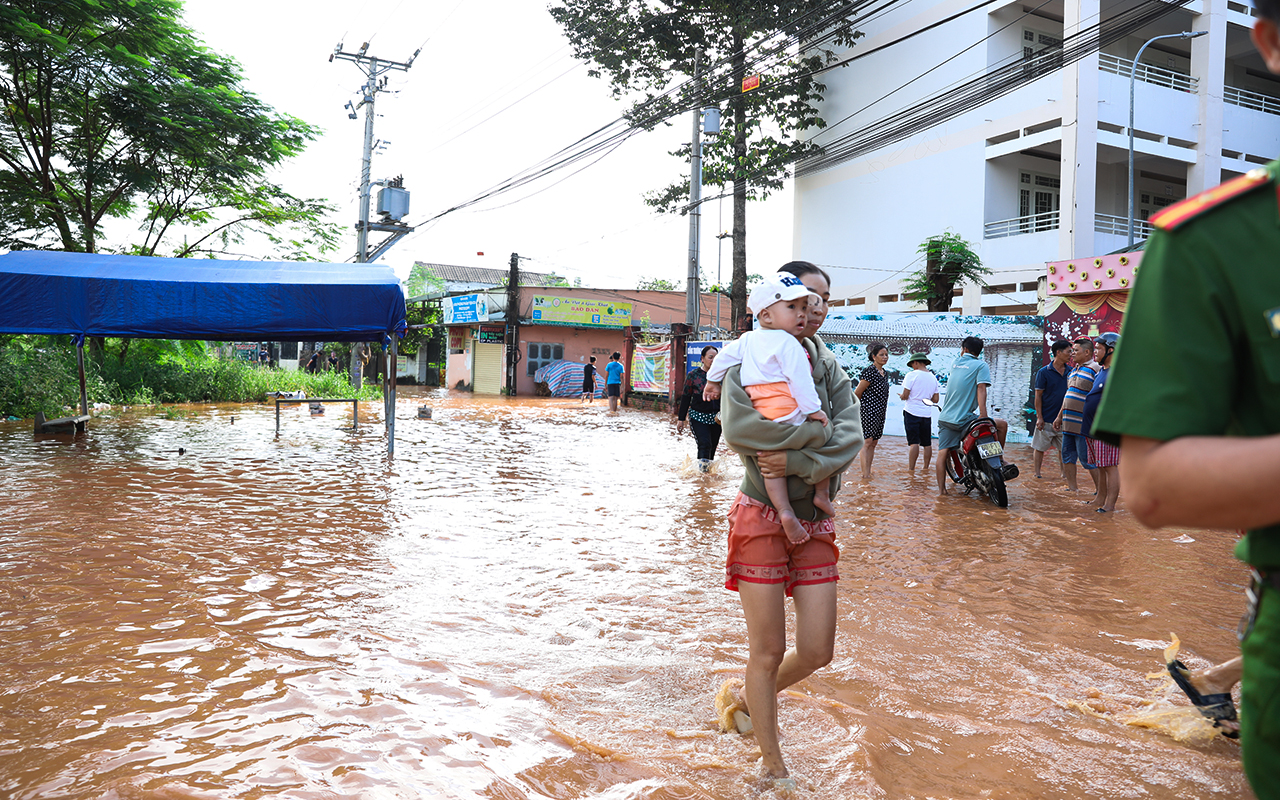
(771, 356)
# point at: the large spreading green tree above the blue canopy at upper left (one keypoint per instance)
(113, 109)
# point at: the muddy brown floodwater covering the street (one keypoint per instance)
(529, 604)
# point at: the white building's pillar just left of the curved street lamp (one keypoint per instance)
(1080, 167)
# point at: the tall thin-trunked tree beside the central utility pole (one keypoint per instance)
(648, 44)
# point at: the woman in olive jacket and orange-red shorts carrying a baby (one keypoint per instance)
(765, 566)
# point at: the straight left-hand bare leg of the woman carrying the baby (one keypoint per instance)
(764, 606)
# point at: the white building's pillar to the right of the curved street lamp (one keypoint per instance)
(1209, 67)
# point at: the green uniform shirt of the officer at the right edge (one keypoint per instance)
(1199, 351)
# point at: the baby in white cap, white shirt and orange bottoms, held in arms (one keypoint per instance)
(778, 377)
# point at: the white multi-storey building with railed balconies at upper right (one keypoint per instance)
(1041, 172)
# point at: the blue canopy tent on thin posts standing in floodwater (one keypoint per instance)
(94, 295)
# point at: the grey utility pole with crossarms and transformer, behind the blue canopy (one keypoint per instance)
(376, 81)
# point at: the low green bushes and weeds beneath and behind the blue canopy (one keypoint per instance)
(39, 374)
